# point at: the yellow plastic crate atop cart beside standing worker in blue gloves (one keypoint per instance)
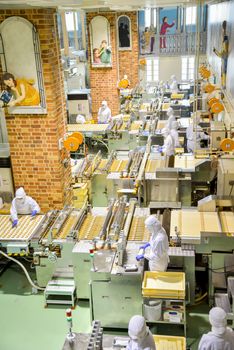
(164, 285)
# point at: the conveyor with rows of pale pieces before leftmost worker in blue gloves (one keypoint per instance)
(24, 230)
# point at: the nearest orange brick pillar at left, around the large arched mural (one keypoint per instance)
(37, 162)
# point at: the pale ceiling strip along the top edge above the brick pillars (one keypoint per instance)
(115, 5)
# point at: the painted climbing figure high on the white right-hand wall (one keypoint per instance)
(223, 54)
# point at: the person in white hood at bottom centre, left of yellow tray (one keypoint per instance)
(140, 336)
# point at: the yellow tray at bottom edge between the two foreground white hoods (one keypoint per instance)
(166, 342)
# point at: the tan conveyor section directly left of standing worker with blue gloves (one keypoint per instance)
(138, 232)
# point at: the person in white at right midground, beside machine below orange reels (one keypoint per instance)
(194, 135)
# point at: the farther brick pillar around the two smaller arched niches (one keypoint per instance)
(103, 81)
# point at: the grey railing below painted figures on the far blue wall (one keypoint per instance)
(179, 44)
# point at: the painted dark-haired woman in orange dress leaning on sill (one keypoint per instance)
(22, 90)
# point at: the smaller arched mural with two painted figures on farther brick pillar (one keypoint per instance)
(100, 42)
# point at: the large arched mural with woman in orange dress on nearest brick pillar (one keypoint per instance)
(21, 78)
